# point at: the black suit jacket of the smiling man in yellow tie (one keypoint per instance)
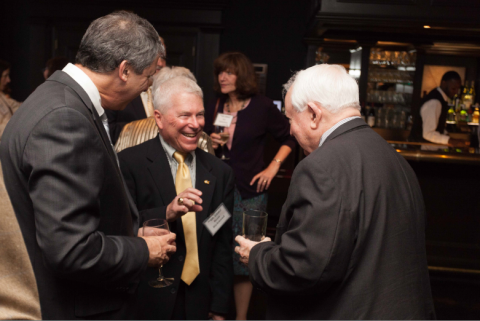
(149, 178)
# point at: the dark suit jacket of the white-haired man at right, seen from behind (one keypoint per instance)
(350, 241)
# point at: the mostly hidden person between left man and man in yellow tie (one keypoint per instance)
(140, 107)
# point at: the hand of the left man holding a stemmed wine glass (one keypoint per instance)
(160, 248)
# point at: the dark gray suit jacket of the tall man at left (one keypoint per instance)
(72, 205)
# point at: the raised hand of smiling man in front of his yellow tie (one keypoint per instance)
(190, 198)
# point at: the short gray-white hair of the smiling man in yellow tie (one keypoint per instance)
(163, 93)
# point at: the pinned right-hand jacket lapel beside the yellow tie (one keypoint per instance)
(203, 175)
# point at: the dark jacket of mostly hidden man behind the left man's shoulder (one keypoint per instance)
(117, 119)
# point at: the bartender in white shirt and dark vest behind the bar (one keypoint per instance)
(429, 124)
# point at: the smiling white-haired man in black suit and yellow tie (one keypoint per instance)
(153, 172)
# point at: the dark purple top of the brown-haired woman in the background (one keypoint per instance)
(260, 117)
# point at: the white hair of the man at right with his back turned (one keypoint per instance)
(329, 85)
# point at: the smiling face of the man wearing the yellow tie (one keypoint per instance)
(183, 122)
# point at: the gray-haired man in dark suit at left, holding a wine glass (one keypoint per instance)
(77, 218)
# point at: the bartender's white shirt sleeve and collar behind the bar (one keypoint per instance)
(430, 112)
